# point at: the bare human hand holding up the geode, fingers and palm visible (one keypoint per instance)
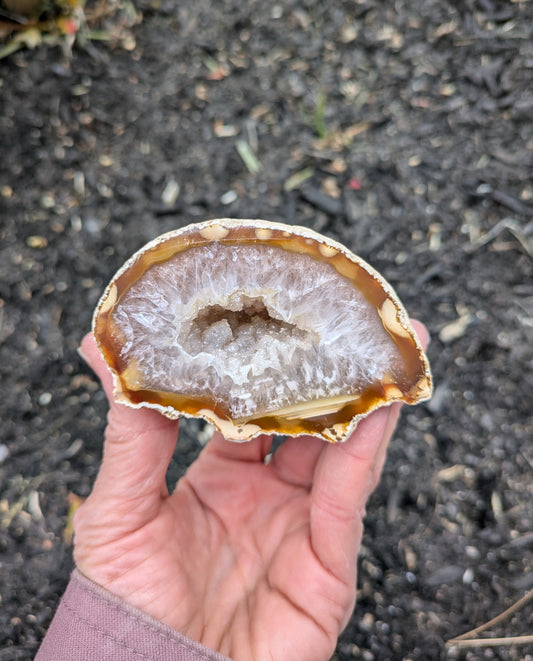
(255, 560)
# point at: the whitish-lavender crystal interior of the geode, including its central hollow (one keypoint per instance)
(254, 326)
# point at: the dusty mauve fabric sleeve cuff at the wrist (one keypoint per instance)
(93, 625)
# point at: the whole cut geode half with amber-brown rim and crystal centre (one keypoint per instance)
(258, 327)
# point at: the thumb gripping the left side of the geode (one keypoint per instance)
(138, 442)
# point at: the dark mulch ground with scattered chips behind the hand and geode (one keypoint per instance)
(403, 129)
